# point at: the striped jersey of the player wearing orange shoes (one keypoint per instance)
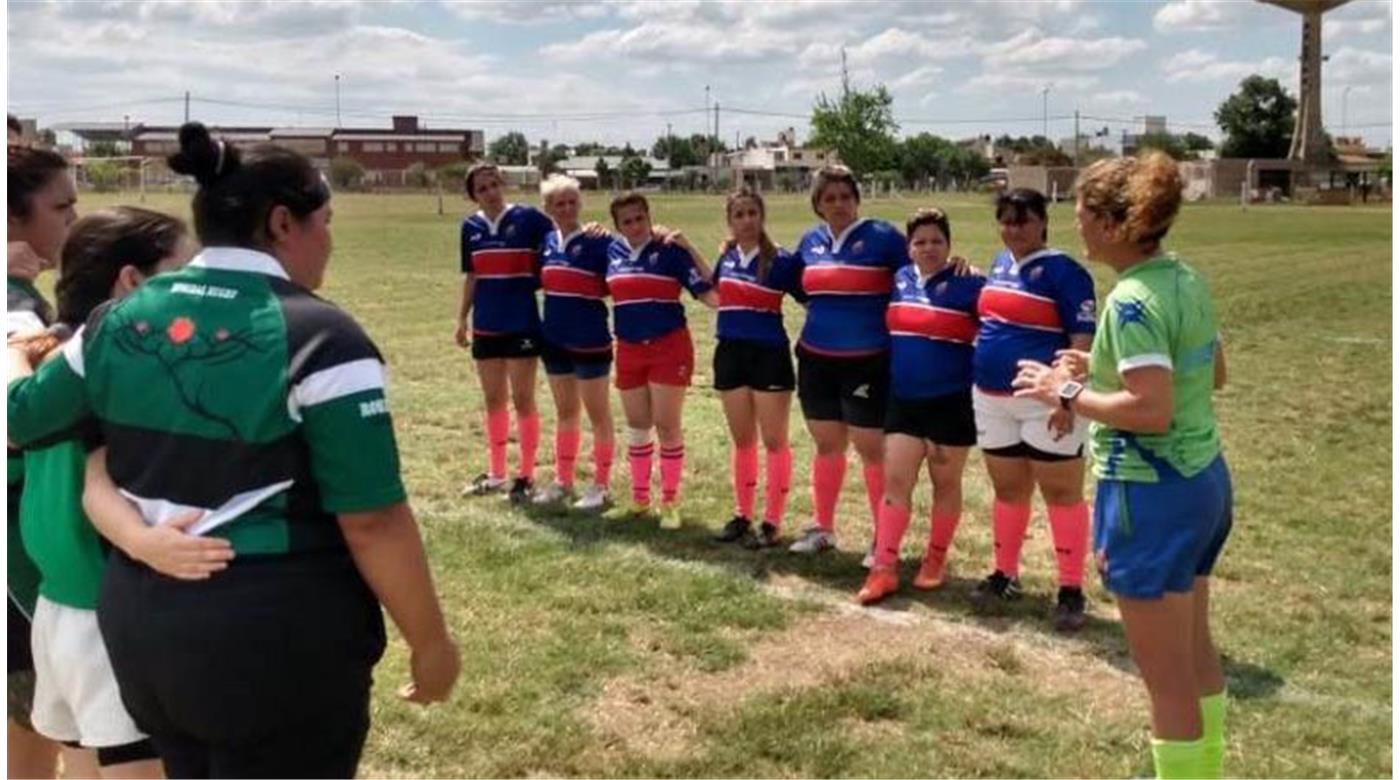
(933, 324)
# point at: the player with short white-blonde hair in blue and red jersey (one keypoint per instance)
(577, 348)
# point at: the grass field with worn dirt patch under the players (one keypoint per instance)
(621, 650)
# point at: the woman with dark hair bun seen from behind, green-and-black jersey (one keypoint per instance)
(230, 390)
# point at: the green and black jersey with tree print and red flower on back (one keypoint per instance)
(229, 390)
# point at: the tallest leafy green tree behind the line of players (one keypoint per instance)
(860, 127)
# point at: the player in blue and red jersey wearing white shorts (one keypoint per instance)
(1037, 302)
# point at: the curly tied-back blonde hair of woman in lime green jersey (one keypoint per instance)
(1140, 194)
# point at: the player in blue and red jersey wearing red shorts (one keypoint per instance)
(656, 358)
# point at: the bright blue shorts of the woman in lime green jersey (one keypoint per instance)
(1157, 538)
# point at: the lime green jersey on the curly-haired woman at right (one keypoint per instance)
(1158, 314)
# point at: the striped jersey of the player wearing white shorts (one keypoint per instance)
(1030, 309)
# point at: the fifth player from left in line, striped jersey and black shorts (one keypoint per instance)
(843, 354)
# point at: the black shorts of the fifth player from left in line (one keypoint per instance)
(845, 390)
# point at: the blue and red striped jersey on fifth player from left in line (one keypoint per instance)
(848, 281)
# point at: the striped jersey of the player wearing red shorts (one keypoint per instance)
(646, 289)
